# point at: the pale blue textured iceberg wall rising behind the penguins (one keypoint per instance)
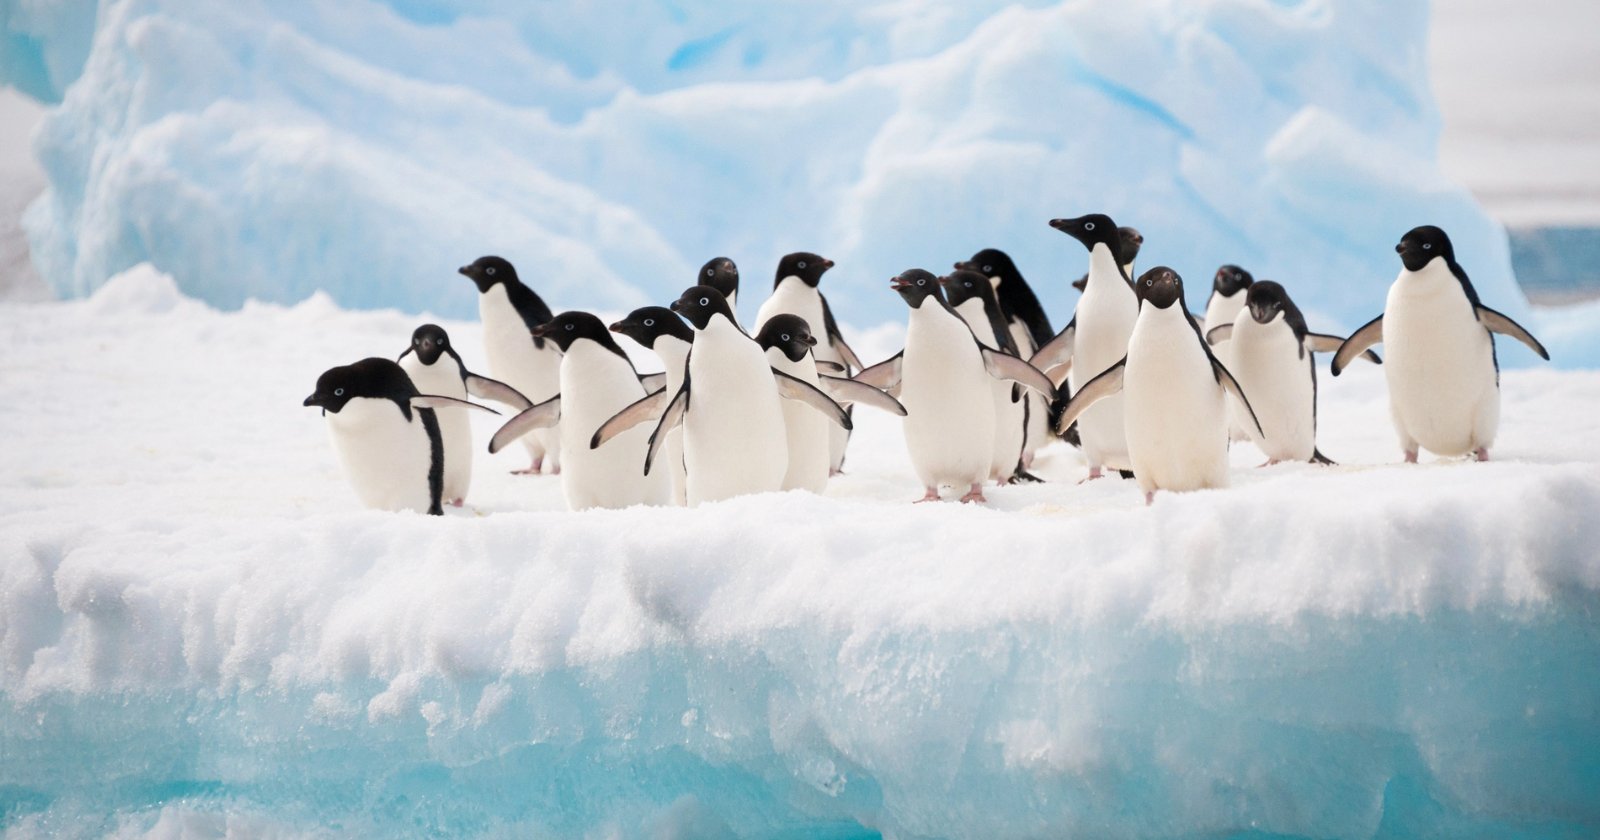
(270, 150)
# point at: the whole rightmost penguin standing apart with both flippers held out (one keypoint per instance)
(1442, 370)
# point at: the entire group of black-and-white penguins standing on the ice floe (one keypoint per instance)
(1135, 380)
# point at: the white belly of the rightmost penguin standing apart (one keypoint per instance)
(1441, 366)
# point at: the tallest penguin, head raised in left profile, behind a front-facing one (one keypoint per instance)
(1097, 338)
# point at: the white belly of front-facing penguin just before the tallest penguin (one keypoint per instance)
(1175, 409)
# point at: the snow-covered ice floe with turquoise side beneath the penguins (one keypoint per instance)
(202, 634)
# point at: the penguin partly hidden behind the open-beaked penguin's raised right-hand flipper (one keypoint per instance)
(974, 300)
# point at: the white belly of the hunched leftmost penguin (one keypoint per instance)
(385, 457)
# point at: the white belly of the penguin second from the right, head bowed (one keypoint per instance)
(1278, 380)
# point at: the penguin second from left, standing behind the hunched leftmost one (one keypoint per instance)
(434, 367)
